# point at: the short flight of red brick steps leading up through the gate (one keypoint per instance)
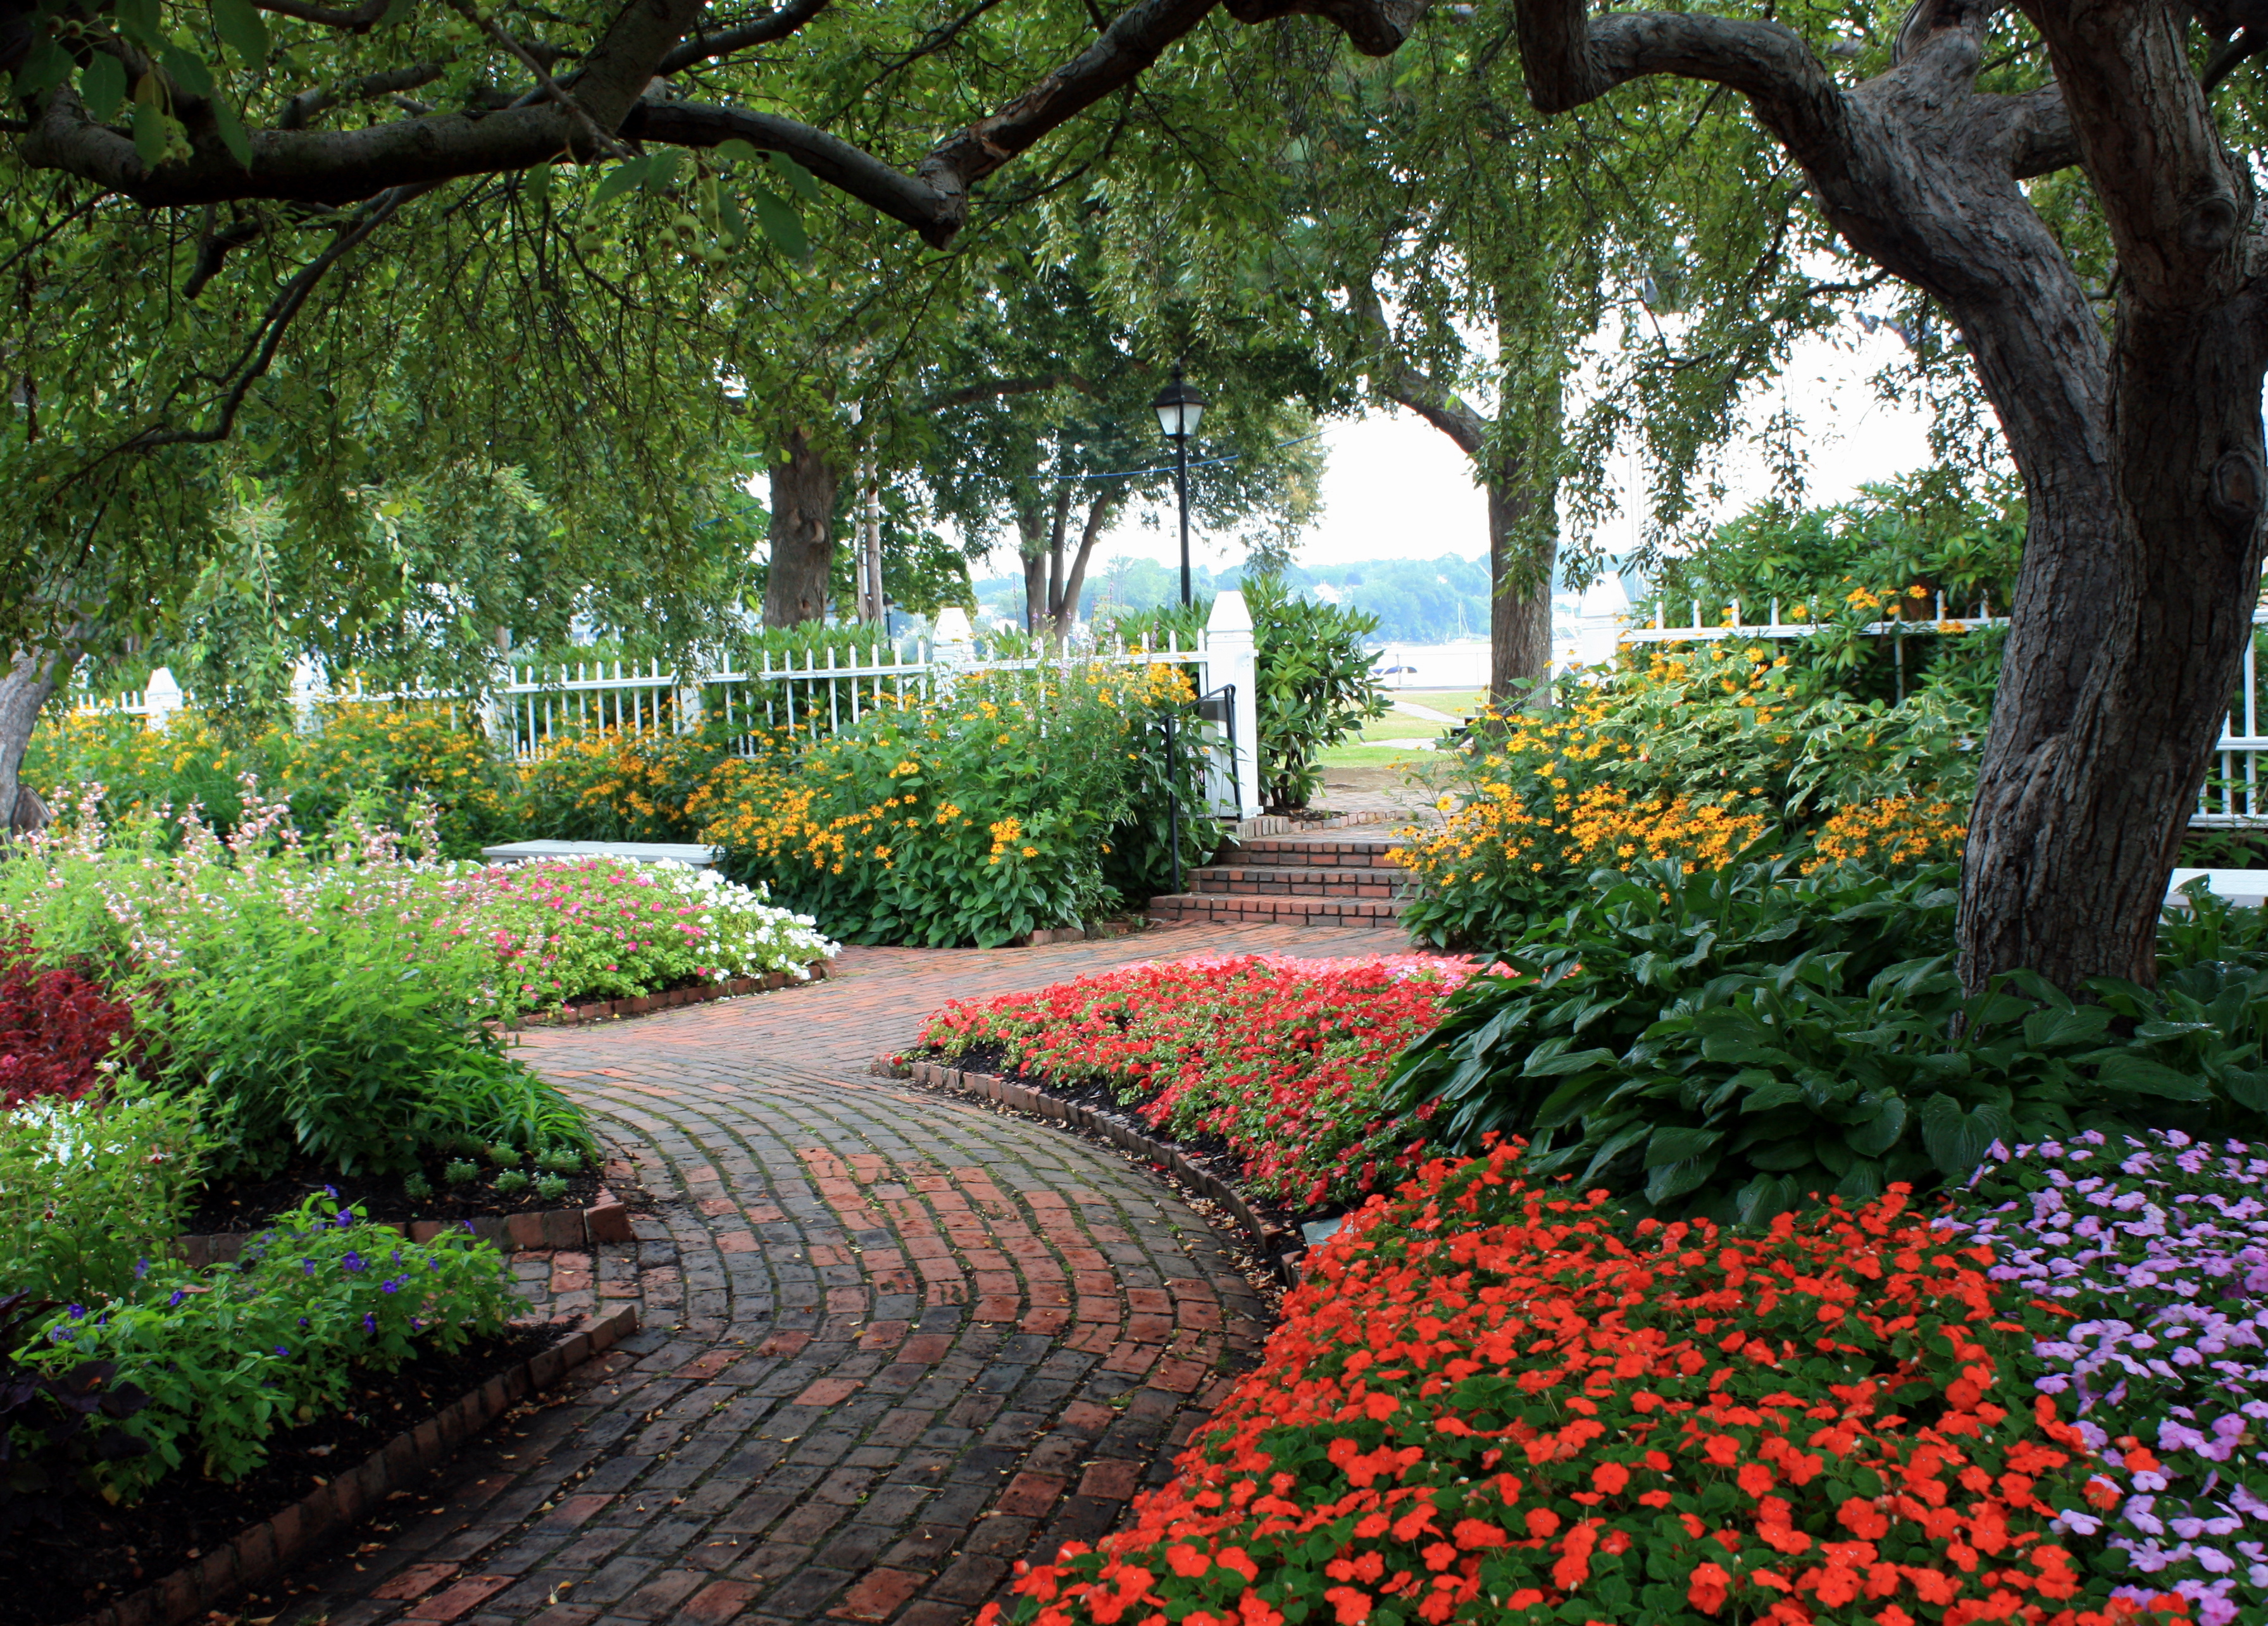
(1326, 879)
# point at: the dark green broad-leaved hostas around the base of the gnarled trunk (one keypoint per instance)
(1736, 1044)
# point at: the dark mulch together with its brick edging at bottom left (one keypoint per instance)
(194, 1541)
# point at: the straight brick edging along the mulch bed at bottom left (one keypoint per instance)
(273, 1543)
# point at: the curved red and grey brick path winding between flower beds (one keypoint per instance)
(892, 1341)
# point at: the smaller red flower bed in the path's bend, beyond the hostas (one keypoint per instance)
(1280, 1058)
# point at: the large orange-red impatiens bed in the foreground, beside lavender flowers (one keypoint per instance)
(1493, 1405)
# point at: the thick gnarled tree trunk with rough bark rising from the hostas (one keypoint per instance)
(2140, 450)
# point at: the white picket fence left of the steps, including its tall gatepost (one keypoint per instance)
(548, 704)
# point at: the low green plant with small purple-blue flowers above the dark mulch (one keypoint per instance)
(276, 1339)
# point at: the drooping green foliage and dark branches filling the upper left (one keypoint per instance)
(344, 266)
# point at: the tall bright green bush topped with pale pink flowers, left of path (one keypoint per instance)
(325, 1006)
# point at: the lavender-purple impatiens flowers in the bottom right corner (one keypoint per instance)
(2149, 1264)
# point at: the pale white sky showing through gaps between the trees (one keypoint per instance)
(1396, 489)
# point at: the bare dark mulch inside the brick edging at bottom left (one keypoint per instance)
(99, 1555)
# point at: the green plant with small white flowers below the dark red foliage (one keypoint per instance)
(92, 1192)
